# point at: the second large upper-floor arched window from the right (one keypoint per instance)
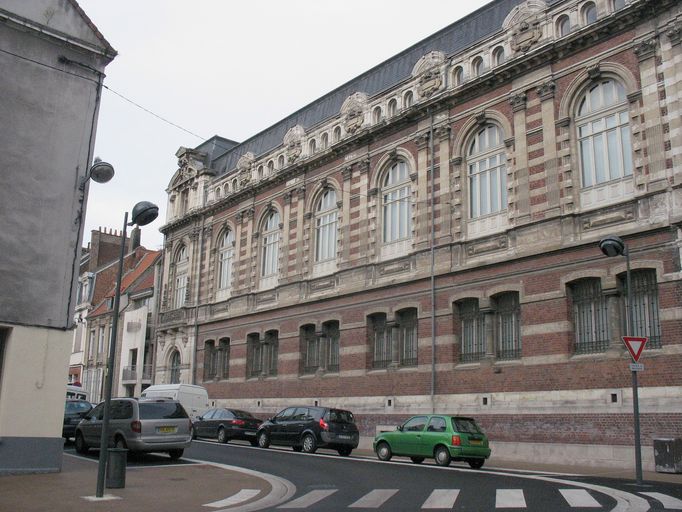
(487, 172)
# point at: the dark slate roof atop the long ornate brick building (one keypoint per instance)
(451, 40)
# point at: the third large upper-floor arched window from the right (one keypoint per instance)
(396, 201)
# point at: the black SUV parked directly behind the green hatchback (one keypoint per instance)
(308, 428)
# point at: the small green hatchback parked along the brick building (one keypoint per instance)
(438, 436)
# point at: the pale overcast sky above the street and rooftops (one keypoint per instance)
(188, 70)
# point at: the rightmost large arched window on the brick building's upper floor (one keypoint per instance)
(604, 134)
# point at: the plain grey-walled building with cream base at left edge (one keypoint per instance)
(52, 60)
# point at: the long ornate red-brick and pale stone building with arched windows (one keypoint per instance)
(425, 237)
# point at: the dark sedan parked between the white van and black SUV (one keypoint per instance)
(226, 424)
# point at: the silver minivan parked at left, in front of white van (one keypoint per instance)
(154, 425)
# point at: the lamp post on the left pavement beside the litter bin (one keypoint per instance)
(144, 212)
